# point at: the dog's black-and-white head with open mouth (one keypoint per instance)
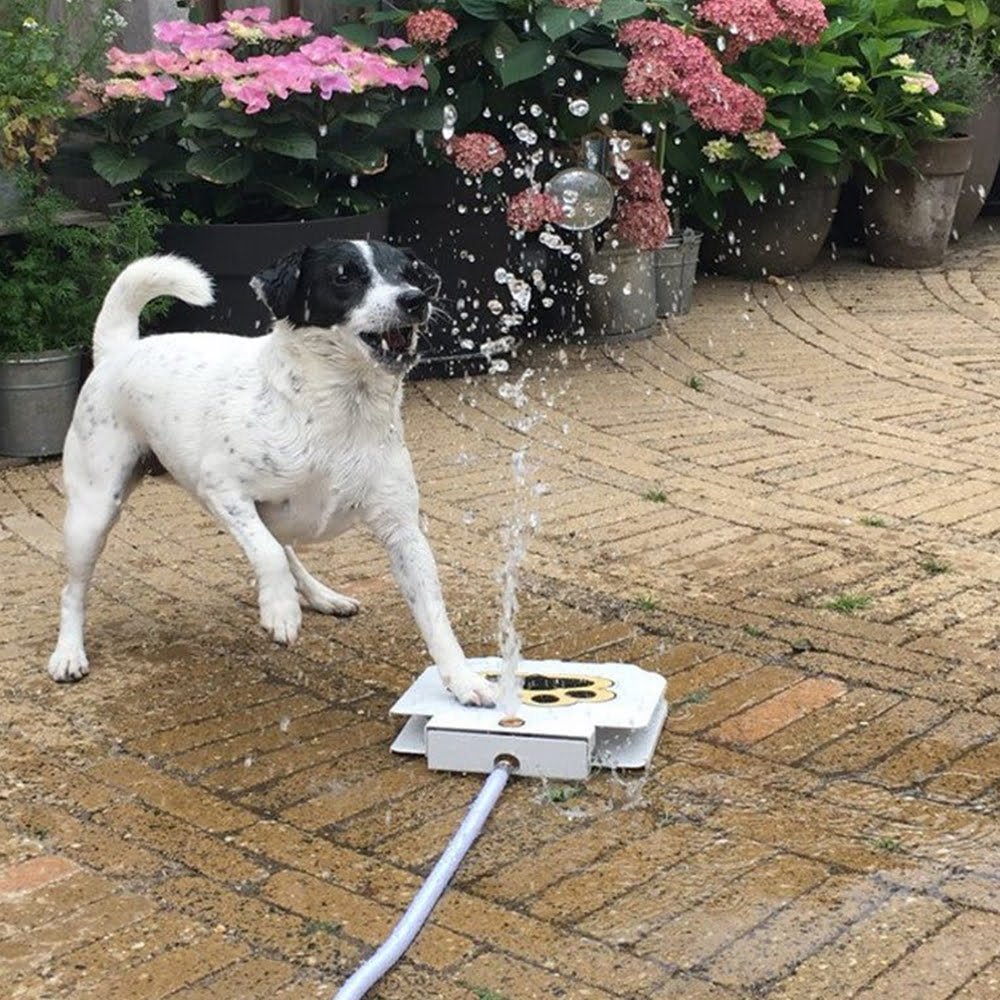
(370, 291)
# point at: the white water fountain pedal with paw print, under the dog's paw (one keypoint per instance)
(572, 717)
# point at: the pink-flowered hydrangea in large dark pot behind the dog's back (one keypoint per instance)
(253, 136)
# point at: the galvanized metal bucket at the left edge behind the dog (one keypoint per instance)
(37, 396)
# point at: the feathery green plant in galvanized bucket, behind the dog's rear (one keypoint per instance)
(55, 279)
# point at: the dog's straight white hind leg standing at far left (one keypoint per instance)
(97, 484)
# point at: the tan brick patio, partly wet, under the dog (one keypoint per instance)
(211, 816)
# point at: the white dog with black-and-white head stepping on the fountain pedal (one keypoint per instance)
(287, 439)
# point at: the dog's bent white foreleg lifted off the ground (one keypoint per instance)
(280, 613)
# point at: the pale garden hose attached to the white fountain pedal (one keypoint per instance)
(410, 924)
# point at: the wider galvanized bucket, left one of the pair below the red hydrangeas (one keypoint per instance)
(621, 291)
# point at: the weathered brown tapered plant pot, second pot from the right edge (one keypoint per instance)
(908, 215)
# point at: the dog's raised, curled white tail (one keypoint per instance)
(141, 282)
